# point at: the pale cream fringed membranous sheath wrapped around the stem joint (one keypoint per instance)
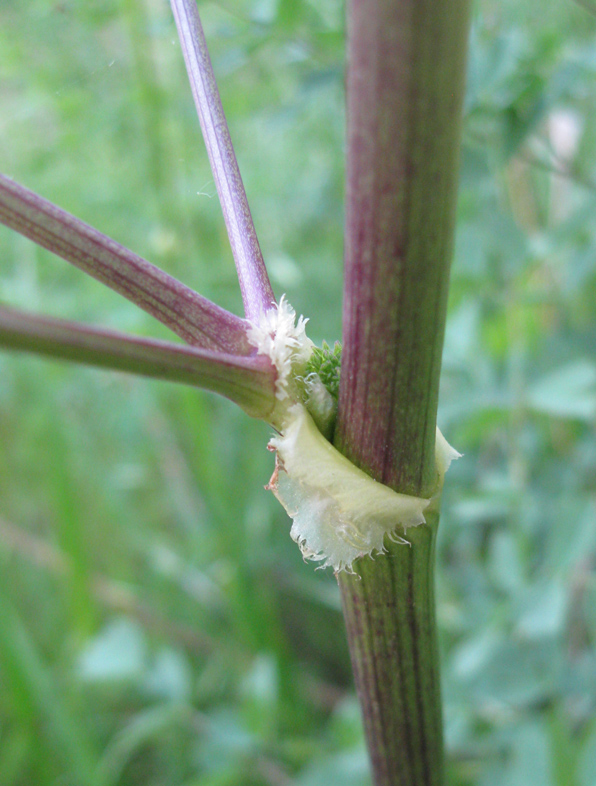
(339, 512)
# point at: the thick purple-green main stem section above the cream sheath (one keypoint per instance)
(405, 83)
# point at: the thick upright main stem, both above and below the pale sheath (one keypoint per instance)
(406, 64)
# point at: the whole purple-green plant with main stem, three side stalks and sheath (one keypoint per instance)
(397, 261)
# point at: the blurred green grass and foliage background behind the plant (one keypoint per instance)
(157, 624)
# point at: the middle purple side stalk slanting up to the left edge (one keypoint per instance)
(194, 318)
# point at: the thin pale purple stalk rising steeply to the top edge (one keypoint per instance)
(257, 294)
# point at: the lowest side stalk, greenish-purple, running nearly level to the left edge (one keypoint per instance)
(249, 382)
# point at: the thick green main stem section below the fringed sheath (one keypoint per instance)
(390, 621)
